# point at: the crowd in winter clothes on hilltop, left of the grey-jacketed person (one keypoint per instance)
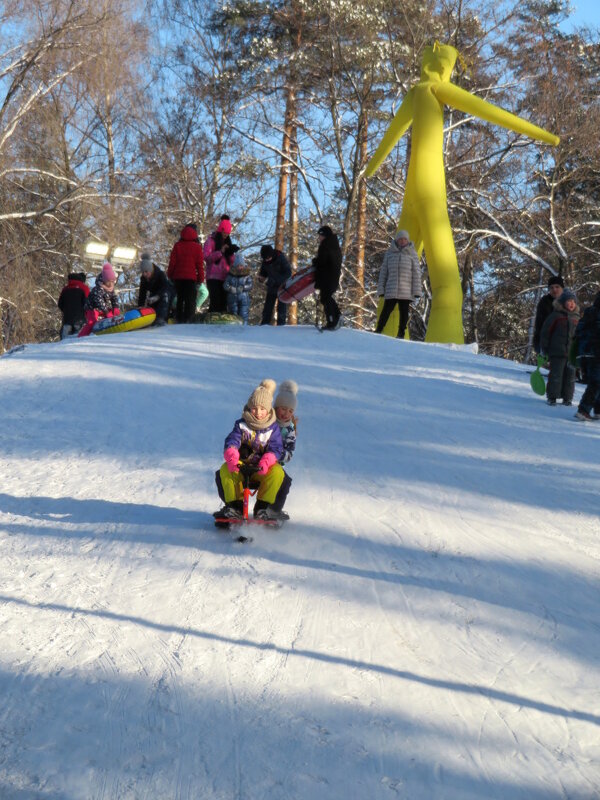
(216, 269)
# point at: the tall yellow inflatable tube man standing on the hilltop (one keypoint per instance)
(424, 211)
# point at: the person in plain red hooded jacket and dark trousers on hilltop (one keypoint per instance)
(186, 270)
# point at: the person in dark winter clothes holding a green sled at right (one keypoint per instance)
(556, 337)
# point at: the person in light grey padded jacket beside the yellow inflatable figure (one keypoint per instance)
(399, 281)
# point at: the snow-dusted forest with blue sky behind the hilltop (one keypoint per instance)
(122, 120)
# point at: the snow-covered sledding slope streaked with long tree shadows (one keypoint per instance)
(426, 626)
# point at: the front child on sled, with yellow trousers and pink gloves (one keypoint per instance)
(254, 440)
